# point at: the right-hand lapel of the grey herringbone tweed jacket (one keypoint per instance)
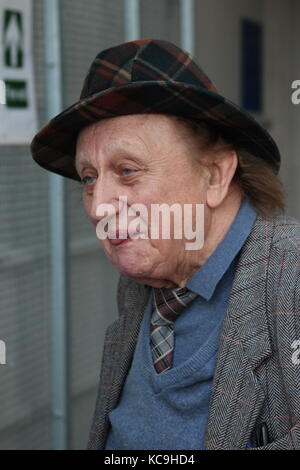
(237, 395)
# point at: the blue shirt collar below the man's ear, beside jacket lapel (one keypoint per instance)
(206, 278)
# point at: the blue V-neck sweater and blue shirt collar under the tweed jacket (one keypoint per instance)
(169, 410)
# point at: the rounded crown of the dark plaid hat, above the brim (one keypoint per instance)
(143, 60)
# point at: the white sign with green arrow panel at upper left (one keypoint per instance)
(18, 114)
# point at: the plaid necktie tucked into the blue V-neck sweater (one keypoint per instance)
(169, 303)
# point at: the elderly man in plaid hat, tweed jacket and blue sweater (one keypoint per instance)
(205, 352)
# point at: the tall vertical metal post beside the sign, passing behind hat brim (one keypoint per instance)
(57, 239)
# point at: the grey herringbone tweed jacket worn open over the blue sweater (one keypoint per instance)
(257, 376)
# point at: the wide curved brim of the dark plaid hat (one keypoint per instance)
(54, 146)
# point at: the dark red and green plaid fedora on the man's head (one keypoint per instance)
(147, 76)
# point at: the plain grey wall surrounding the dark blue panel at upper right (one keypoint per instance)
(219, 54)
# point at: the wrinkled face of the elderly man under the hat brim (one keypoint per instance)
(149, 160)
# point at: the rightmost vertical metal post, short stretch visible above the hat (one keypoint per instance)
(187, 25)
